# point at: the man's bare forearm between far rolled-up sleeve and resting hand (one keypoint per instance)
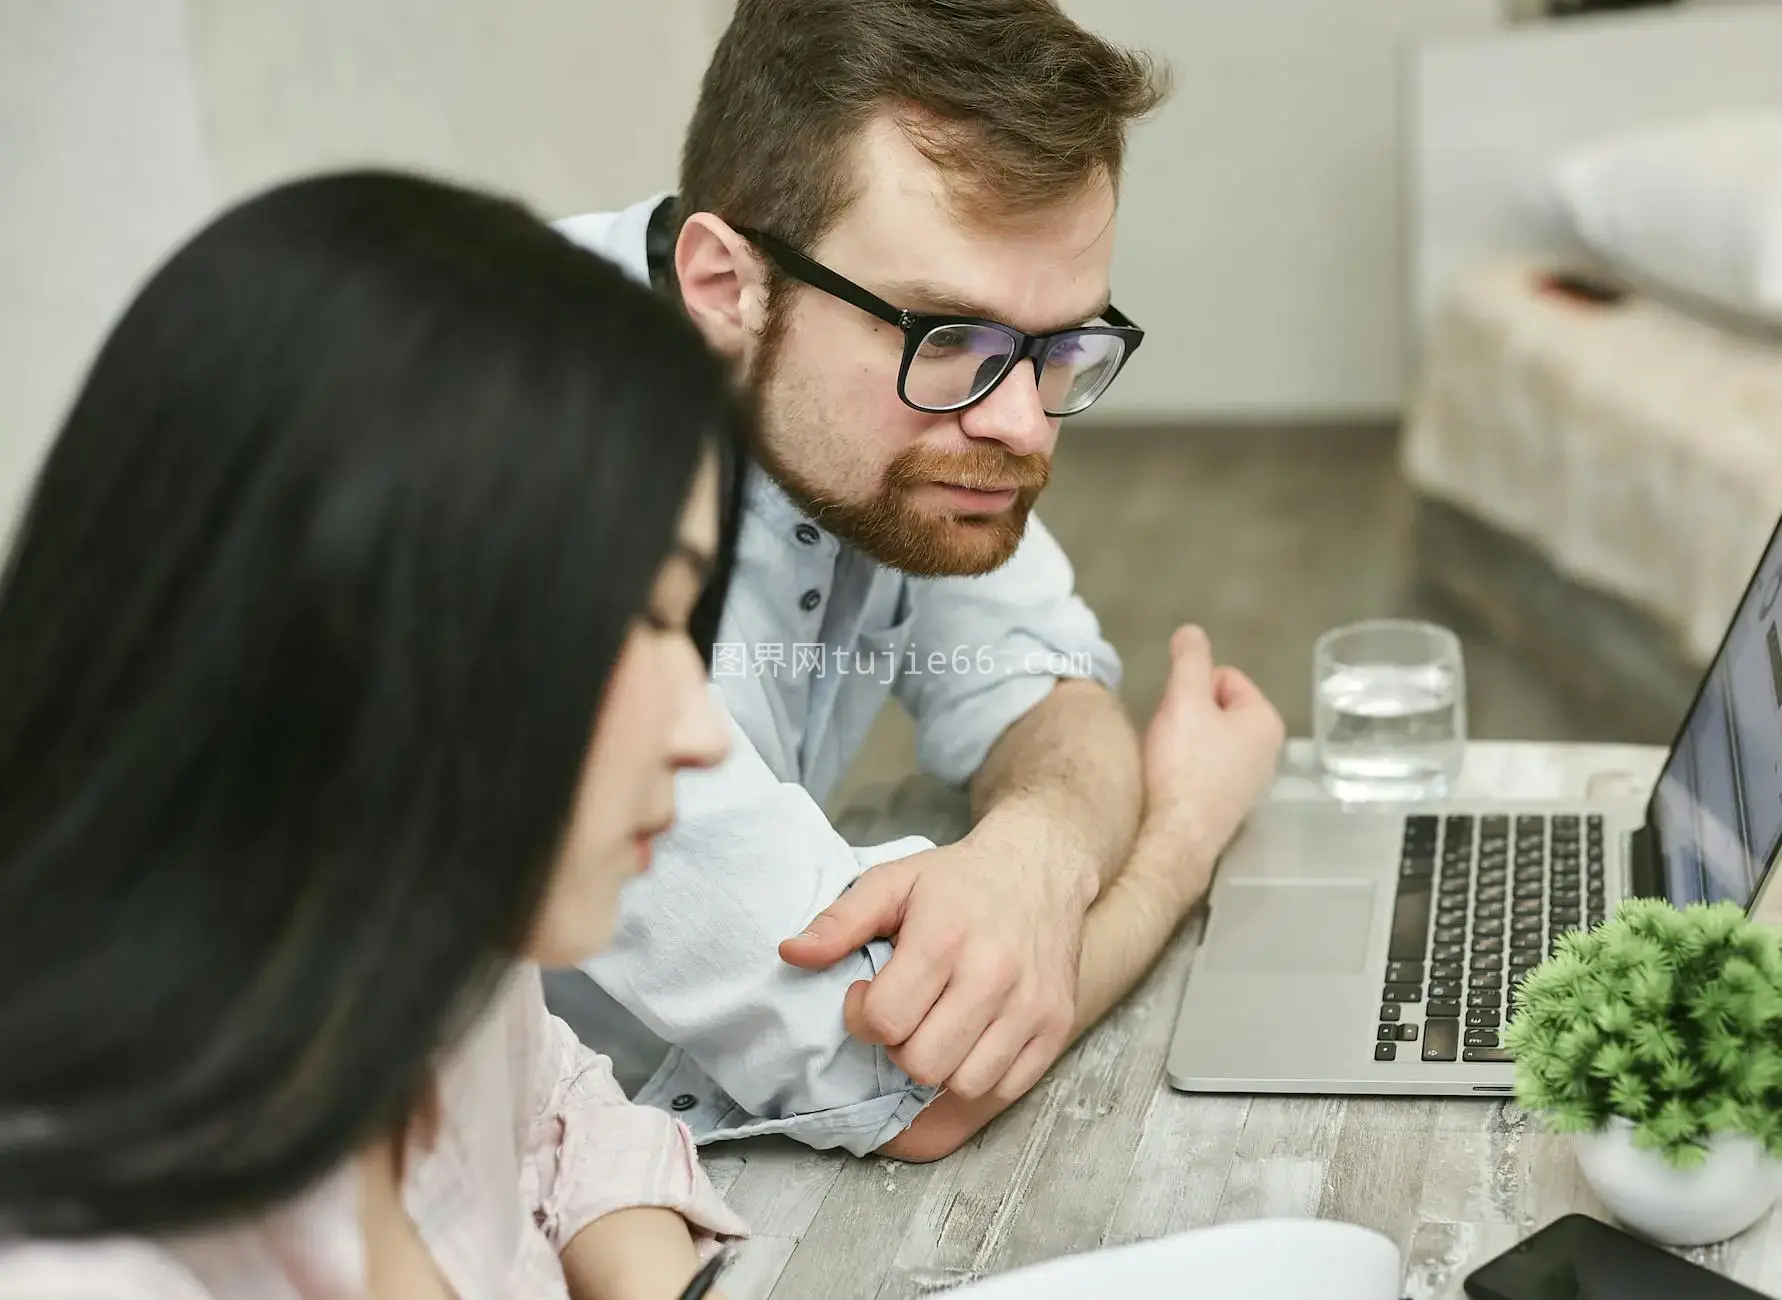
(1065, 784)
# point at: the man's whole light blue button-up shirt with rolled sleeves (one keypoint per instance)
(692, 1000)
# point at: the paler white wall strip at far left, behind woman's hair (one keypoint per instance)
(102, 170)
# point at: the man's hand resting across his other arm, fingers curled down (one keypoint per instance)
(981, 995)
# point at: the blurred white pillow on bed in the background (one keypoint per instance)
(1694, 207)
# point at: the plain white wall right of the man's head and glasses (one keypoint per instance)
(1261, 232)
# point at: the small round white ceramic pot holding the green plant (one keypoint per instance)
(1731, 1190)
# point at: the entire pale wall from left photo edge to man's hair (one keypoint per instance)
(126, 122)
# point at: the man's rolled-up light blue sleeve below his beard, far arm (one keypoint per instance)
(985, 651)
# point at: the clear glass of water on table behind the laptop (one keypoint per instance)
(1389, 710)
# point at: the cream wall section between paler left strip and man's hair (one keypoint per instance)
(571, 104)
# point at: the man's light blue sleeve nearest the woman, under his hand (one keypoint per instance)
(696, 957)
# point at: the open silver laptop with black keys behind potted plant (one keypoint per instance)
(1375, 950)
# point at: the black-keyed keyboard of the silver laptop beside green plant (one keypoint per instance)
(1482, 902)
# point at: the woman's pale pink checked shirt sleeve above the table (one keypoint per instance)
(594, 1153)
